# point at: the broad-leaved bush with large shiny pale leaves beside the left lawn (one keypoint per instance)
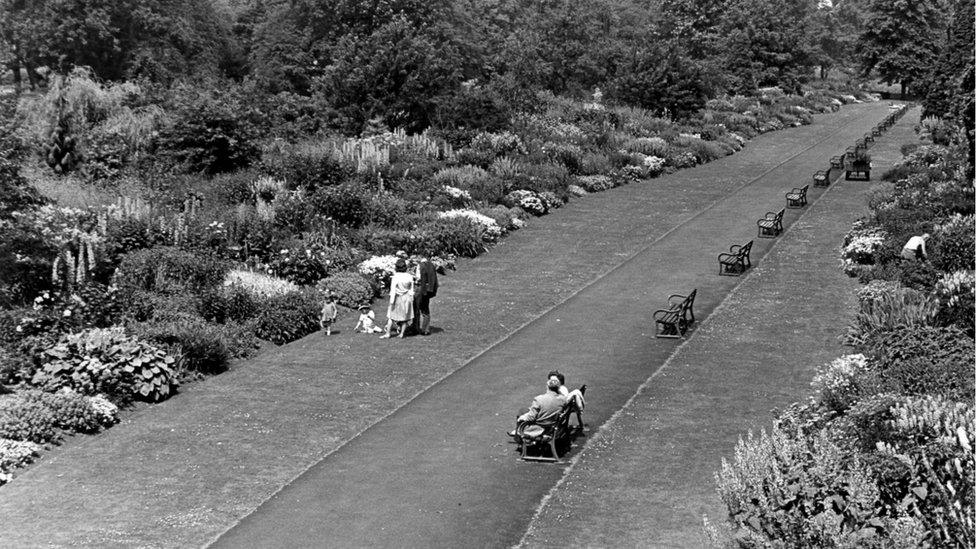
(109, 362)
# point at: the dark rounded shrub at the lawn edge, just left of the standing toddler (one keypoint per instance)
(285, 318)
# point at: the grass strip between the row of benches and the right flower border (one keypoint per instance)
(648, 477)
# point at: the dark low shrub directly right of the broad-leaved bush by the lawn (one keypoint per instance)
(199, 344)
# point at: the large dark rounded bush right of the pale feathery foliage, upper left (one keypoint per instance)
(209, 135)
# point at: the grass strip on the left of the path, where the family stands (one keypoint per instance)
(182, 472)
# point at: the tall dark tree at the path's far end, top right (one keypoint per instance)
(902, 39)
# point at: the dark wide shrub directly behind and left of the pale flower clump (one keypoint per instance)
(167, 269)
